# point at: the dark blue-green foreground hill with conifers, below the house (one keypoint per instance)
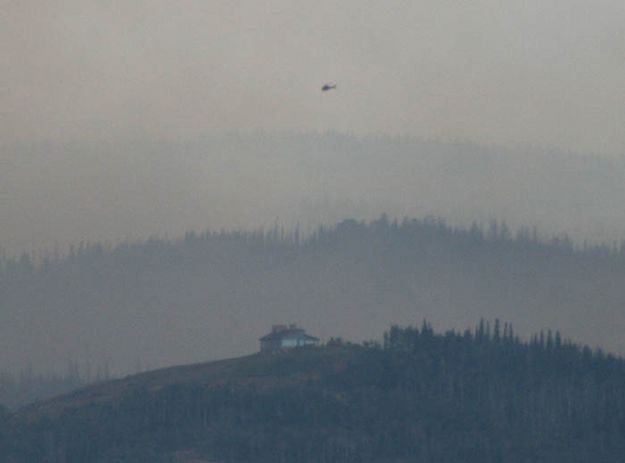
(481, 395)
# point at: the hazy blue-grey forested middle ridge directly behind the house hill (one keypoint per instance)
(211, 295)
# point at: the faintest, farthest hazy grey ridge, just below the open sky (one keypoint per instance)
(56, 195)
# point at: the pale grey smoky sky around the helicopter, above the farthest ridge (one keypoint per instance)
(540, 72)
